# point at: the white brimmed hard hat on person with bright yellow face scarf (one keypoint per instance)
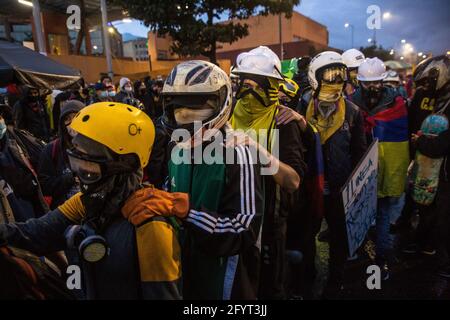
(260, 61)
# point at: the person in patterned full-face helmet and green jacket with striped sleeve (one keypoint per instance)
(220, 254)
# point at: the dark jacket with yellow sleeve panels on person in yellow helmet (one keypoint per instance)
(119, 275)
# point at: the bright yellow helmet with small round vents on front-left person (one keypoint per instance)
(122, 128)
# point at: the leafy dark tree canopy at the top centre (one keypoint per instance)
(195, 25)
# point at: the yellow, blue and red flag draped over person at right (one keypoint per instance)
(390, 126)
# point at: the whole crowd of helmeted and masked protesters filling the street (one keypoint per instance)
(102, 179)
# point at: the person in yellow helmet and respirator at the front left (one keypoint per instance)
(124, 233)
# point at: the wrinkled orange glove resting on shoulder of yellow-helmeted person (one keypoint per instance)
(149, 202)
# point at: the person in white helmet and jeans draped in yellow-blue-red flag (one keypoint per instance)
(386, 119)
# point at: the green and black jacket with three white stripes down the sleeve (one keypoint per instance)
(220, 251)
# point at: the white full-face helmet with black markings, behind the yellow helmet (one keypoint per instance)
(197, 85)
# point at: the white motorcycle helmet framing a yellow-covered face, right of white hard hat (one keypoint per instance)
(320, 62)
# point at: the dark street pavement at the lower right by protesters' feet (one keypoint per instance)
(411, 276)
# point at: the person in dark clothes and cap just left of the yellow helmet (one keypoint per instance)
(57, 179)
